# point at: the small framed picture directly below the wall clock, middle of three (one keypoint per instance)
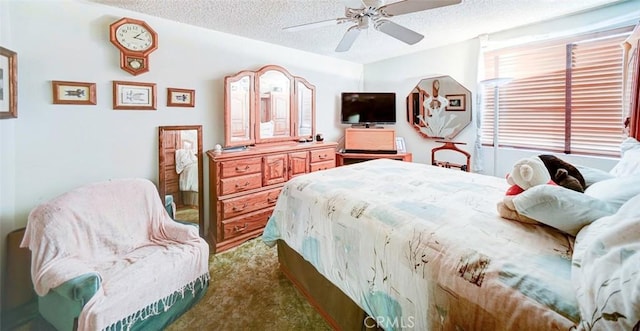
(134, 95)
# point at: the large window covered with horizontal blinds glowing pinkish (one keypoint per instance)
(564, 96)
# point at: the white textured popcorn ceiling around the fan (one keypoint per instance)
(265, 19)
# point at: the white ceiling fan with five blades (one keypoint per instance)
(375, 12)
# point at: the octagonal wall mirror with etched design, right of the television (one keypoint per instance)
(439, 107)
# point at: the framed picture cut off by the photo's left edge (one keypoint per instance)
(8, 83)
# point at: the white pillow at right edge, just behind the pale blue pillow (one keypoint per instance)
(615, 191)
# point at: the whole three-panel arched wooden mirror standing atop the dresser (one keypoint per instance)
(266, 106)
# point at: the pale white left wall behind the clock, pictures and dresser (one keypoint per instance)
(50, 149)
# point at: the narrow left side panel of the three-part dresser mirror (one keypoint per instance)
(239, 98)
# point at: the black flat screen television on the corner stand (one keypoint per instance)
(364, 108)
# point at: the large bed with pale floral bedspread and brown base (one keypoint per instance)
(411, 246)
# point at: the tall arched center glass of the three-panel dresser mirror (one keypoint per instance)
(275, 104)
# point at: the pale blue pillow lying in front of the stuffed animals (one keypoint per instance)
(561, 208)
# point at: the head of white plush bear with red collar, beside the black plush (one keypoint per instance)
(527, 173)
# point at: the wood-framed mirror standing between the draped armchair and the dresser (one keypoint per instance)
(180, 180)
